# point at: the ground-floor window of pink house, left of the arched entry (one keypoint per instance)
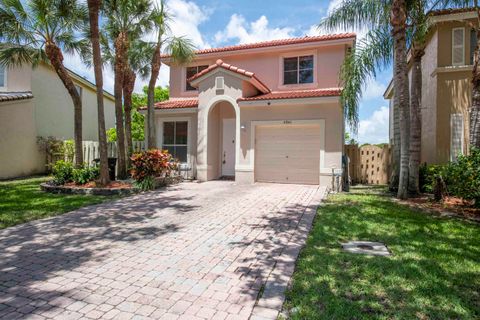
(175, 139)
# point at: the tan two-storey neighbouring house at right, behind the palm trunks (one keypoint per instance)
(446, 85)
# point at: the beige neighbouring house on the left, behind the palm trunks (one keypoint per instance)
(33, 103)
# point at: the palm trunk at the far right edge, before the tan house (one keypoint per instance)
(475, 109)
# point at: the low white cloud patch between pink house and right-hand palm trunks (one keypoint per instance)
(375, 128)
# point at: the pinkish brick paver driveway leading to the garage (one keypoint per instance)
(192, 251)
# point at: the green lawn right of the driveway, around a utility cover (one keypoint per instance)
(434, 272)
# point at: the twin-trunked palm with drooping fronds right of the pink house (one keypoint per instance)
(373, 53)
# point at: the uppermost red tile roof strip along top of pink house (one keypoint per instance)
(275, 43)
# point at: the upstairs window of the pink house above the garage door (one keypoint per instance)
(298, 70)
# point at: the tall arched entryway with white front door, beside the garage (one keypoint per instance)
(221, 140)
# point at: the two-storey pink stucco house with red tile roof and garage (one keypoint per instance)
(266, 112)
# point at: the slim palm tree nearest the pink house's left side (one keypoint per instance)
(181, 51)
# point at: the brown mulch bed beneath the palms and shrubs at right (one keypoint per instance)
(449, 206)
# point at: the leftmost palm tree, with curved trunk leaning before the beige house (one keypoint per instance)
(42, 30)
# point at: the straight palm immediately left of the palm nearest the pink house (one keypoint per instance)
(126, 20)
